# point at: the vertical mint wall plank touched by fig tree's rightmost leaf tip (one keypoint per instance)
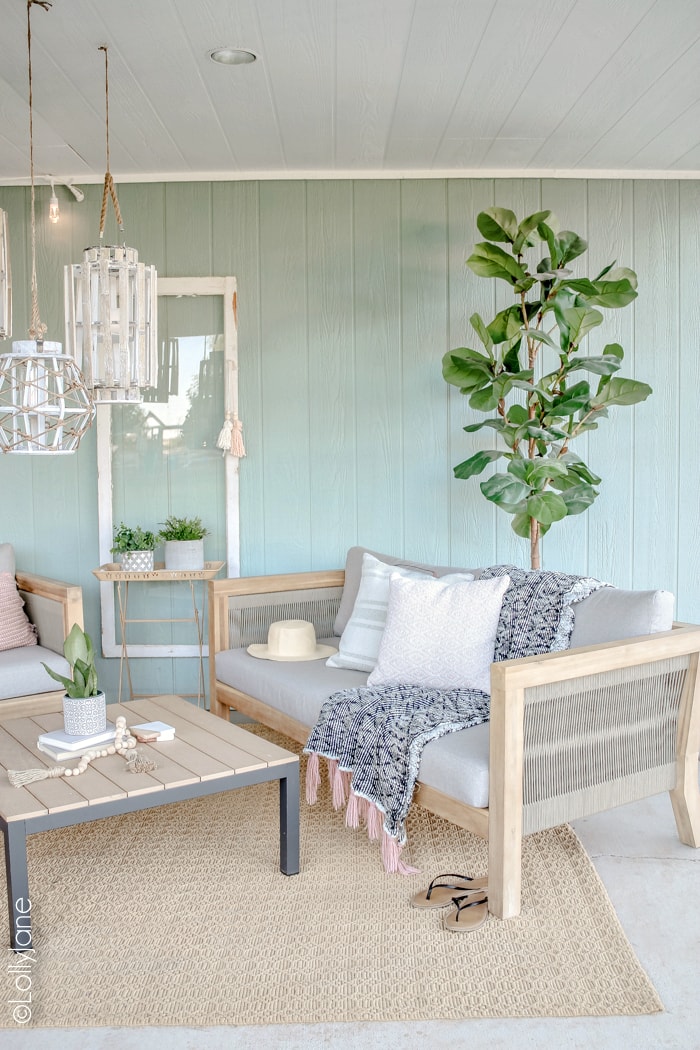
(655, 495)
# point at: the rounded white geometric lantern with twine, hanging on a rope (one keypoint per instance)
(46, 407)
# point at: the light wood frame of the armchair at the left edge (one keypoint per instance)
(54, 607)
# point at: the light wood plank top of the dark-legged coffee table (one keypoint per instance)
(206, 748)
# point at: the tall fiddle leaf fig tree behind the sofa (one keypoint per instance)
(539, 408)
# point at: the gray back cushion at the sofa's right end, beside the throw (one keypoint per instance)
(610, 615)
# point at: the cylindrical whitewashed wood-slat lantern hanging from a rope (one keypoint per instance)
(112, 310)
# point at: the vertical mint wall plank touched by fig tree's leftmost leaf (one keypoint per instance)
(425, 323)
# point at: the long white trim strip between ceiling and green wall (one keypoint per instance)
(349, 176)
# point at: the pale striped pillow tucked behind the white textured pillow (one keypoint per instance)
(360, 641)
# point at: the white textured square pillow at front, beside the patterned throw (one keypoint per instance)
(440, 636)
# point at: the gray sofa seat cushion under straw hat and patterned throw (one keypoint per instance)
(300, 690)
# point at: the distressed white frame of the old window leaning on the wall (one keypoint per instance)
(226, 287)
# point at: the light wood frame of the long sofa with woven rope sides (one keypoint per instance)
(563, 743)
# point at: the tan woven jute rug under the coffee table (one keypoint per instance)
(180, 916)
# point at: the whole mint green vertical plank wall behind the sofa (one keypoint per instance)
(350, 293)
